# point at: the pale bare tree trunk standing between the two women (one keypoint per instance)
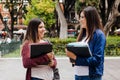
(63, 22)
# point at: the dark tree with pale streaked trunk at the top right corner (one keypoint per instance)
(110, 14)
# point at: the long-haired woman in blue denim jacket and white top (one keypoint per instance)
(90, 68)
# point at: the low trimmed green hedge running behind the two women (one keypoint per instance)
(112, 46)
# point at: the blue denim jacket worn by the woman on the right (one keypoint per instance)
(96, 61)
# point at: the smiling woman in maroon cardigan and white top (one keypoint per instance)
(39, 68)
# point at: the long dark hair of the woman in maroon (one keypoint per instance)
(32, 30)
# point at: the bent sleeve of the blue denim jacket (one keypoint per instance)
(97, 53)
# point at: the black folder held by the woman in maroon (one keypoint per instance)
(39, 49)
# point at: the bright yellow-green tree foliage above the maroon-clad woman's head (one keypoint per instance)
(43, 9)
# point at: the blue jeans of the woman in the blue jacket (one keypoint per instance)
(87, 78)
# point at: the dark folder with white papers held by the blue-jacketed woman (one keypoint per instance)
(80, 49)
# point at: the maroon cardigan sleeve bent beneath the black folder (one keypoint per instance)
(28, 62)
